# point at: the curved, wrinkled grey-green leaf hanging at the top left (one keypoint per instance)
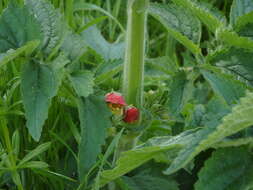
(51, 23)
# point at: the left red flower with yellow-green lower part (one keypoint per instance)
(116, 102)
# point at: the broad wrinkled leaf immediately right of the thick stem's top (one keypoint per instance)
(179, 23)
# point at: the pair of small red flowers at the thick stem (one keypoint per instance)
(118, 106)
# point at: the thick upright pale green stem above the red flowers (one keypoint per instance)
(135, 47)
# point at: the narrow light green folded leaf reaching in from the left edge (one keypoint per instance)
(12, 54)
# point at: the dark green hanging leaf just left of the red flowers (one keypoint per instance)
(95, 119)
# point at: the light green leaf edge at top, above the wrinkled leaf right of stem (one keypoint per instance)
(206, 14)
